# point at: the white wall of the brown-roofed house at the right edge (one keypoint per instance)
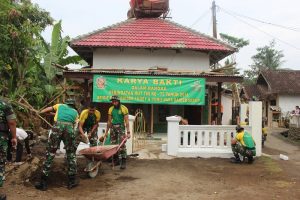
(288, 102)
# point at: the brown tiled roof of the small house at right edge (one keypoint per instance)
(283, 81)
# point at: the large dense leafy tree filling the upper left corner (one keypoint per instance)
(21, 25)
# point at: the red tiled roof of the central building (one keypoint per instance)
(151, 33)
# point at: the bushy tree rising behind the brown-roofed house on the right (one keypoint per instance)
(266, 58)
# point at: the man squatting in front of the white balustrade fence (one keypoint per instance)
(243, 144)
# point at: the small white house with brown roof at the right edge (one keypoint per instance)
(280, 92)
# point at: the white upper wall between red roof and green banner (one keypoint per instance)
(144, 59)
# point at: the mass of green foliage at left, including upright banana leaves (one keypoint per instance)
(25, 57)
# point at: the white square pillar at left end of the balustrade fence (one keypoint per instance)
(173, 135)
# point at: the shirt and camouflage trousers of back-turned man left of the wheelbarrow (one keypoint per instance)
(63, 130)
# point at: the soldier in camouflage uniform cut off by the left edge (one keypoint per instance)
(7, 127)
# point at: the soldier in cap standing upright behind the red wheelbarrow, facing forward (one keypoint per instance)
(117, 117)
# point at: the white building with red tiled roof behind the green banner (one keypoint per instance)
(150, 47)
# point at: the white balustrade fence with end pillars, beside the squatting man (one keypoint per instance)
(209, 141)
